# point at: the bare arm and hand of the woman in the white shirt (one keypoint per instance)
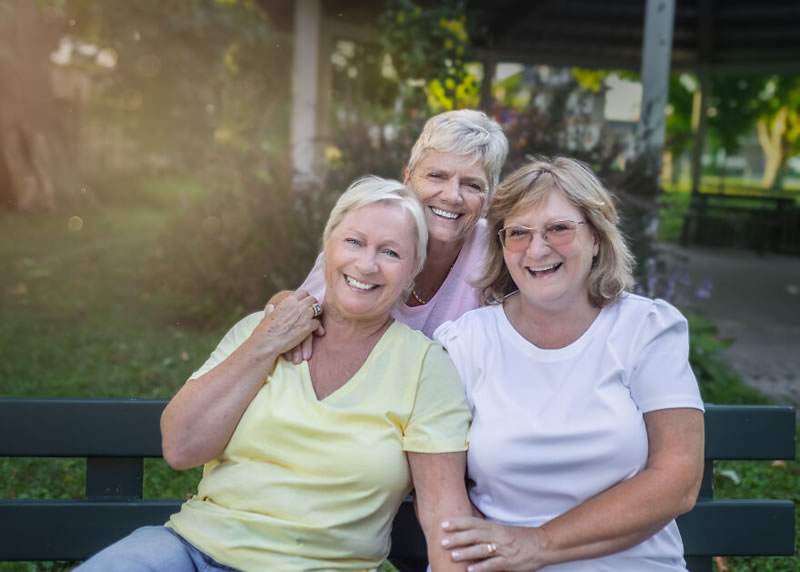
(614, 520)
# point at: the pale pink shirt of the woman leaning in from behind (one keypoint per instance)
(454, 297)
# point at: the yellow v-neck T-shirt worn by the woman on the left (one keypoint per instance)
(309, 484)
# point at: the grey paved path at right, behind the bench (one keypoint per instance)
(755, 300)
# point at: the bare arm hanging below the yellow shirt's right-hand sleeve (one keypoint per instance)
(439, 491)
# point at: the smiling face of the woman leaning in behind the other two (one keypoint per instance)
(453, 189)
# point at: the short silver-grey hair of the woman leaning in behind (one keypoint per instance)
(464, 132)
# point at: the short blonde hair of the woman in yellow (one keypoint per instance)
(370, 190)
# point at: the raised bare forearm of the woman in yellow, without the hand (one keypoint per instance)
(199, 421)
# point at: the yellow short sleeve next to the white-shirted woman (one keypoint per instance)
(440, 418)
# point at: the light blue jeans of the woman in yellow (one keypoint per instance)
(152, 549)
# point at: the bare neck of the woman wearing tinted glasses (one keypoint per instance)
(548, 328)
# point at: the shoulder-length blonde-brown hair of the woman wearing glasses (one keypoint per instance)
(612, 268)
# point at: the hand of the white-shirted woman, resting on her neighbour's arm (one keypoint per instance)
(488, 545)
